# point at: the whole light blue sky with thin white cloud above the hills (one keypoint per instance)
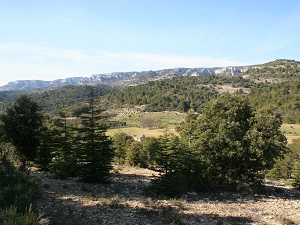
(56, 39)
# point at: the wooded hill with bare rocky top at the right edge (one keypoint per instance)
(278, 86)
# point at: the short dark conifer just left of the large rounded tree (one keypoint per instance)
(176, 163)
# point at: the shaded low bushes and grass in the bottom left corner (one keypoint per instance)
(19, 192)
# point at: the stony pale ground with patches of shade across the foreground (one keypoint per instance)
(124, 201)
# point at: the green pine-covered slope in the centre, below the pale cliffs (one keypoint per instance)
(177, 94)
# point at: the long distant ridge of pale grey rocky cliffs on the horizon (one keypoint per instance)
(123, 79)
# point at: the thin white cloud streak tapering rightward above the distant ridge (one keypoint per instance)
(117, 58)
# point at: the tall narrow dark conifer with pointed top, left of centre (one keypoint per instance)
(95, 148)
